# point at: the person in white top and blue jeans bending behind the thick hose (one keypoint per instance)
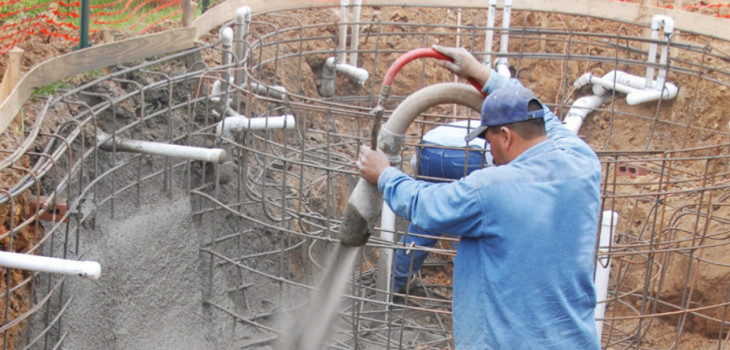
(441, 156)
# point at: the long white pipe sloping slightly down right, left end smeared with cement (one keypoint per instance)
(213, 155)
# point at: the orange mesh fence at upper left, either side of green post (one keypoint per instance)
(59, 20)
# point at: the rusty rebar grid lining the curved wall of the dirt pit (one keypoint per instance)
(267, 217)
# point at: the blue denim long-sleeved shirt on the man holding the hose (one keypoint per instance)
(523, 273)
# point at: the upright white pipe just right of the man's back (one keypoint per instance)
(603, 267)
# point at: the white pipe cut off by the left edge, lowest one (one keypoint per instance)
(86, 269)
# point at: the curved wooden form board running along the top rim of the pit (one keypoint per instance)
(173, 40)
